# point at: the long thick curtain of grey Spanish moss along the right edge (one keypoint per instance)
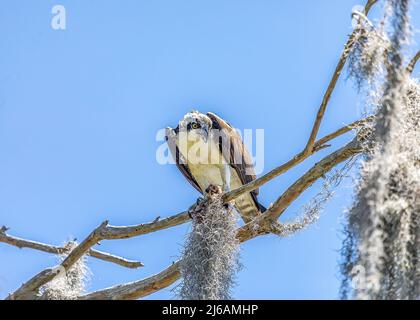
(380, 250)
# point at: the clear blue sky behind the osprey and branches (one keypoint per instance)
(80, 108)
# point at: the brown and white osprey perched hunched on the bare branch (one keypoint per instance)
(208, 151)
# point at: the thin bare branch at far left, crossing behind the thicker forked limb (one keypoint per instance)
(23, 243)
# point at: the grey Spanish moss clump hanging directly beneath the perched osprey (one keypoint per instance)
(210, 257)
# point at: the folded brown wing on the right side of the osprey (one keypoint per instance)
(235, 153)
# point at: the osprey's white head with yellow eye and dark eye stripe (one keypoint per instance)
(197, 125)
